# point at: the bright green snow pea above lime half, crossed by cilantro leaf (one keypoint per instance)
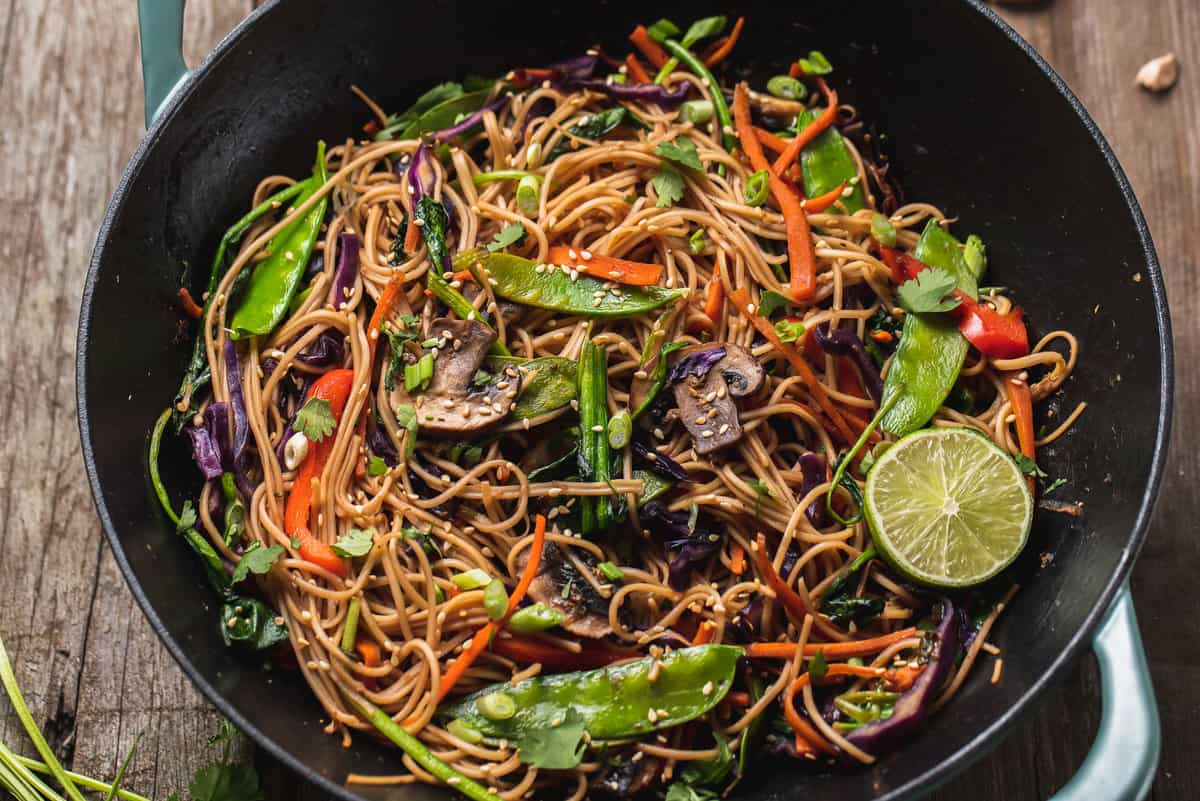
(932, 351)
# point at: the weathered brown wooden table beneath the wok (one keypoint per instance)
(93, 671)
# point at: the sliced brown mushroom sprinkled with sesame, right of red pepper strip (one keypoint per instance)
(454, 405)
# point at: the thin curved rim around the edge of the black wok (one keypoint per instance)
(981, 745)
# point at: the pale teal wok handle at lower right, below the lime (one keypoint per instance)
(1125, 756)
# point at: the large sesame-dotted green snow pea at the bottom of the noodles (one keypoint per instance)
(615, 702)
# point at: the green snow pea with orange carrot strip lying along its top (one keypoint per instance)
(549, 287)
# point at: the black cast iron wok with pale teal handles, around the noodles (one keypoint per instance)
(976, 123)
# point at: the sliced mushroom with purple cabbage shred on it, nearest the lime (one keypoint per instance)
(706, 402)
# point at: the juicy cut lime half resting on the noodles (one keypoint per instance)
(949, 508)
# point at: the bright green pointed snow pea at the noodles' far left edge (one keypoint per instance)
(275, 280)
